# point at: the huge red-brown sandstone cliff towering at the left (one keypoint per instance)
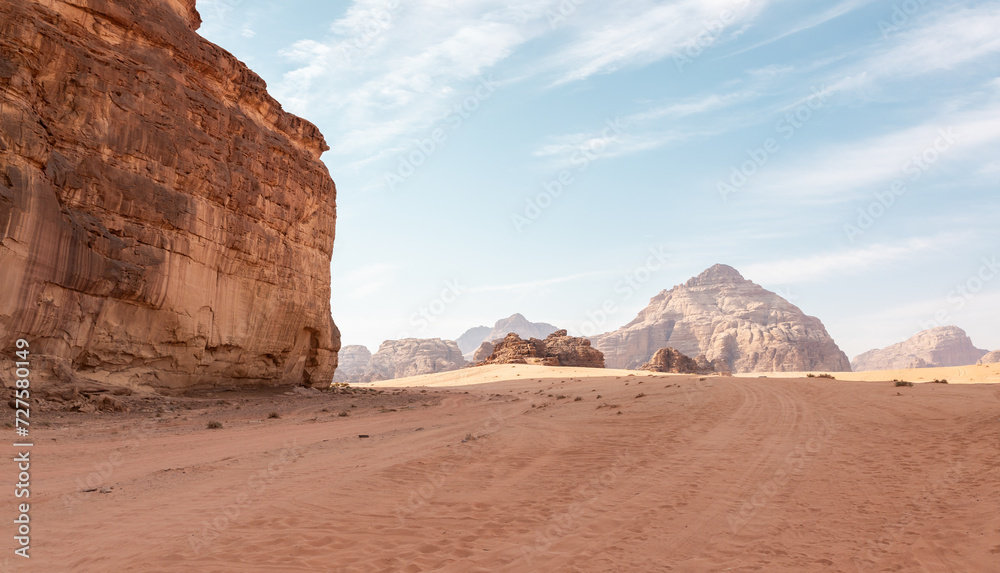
(162, 220)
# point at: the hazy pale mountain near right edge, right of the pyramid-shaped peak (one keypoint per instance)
(937, 347)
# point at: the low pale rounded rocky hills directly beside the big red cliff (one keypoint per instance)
(399, 359)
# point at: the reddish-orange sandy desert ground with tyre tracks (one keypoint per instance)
(526, 469)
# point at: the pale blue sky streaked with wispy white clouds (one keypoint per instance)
(570, 159)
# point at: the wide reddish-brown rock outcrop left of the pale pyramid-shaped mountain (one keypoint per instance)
(558, 349)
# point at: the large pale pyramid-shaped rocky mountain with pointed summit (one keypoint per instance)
(736, 324)
